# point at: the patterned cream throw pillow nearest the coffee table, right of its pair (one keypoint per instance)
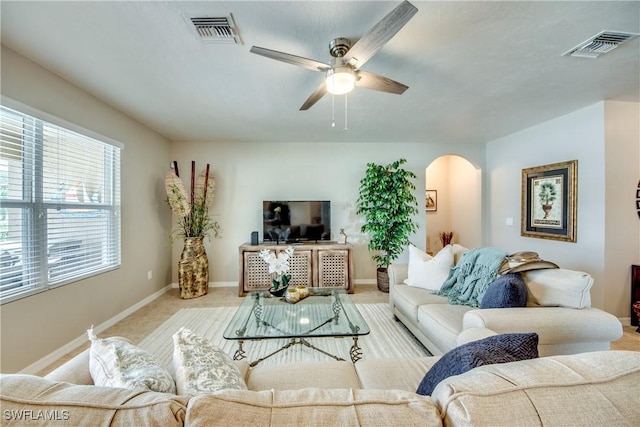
(201, 367)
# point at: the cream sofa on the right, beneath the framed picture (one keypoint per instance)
(558, 309)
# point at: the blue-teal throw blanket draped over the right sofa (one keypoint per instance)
(469, 280)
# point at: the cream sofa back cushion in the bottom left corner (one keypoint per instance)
(41, 401)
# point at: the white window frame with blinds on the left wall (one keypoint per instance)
(34, 205)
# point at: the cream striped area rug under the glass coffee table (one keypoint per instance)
(387, 339)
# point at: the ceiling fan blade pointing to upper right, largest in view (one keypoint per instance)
(380, 34)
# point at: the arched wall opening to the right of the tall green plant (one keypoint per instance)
(457, 187)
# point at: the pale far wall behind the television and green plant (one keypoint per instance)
(248, 173)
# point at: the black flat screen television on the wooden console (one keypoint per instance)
(296, 221)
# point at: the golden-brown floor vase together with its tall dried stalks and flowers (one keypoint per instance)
(194, 223)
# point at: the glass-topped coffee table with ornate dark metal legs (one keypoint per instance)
(327, 312)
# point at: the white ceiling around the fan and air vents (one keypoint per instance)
(476, 71)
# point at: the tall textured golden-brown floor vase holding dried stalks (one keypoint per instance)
(193, 269)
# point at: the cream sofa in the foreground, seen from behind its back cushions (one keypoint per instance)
(589, 389)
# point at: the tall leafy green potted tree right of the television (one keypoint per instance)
(388, 205)
